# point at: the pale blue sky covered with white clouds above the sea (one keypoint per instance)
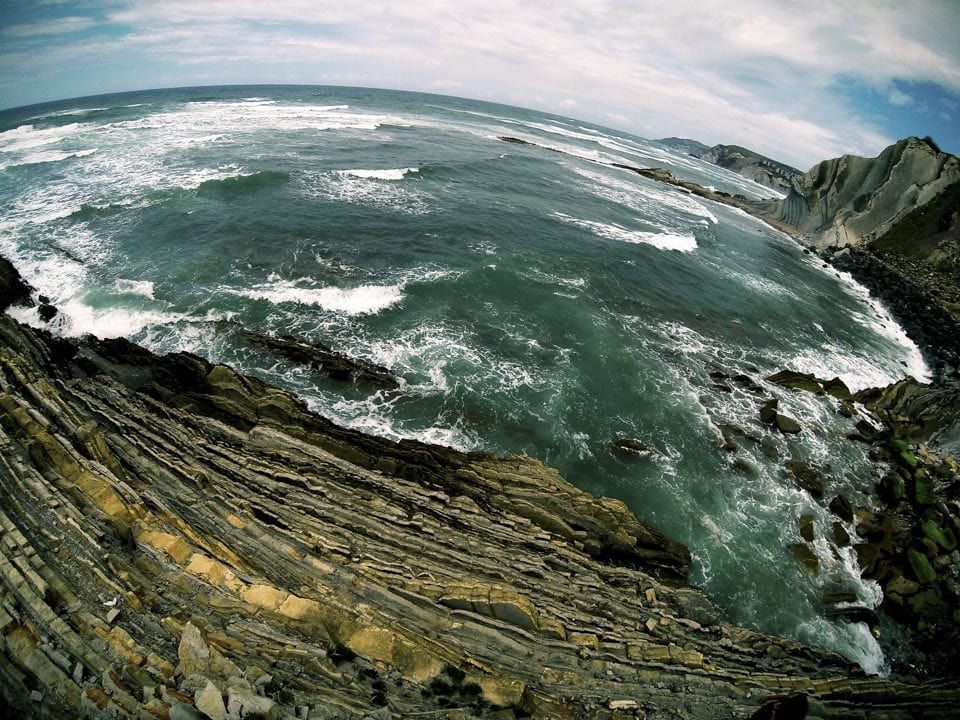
(797, 80)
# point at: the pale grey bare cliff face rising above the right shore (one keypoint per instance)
(852, 201)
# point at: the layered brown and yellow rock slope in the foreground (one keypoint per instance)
(178, 540)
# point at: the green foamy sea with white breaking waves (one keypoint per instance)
(531, 298)
